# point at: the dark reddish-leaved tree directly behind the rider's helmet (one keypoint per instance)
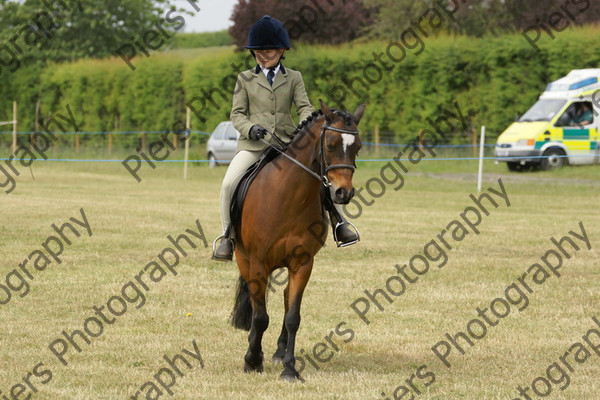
(311, 21)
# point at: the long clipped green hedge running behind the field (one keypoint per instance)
(492, 79)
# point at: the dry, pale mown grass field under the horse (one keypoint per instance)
(130, 223)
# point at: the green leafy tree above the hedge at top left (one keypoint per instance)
(65, 30)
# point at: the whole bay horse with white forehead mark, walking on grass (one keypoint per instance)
(281, 207)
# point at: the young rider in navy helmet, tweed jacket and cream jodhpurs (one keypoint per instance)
(262, 110)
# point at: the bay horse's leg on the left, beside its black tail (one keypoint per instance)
(260, 321)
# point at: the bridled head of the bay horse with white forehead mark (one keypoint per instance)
(340, 144)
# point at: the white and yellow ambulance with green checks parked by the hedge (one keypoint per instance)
(563, 127)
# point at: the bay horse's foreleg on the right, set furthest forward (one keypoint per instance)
(297, 284)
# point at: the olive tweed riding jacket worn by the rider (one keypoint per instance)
(255, 101)
